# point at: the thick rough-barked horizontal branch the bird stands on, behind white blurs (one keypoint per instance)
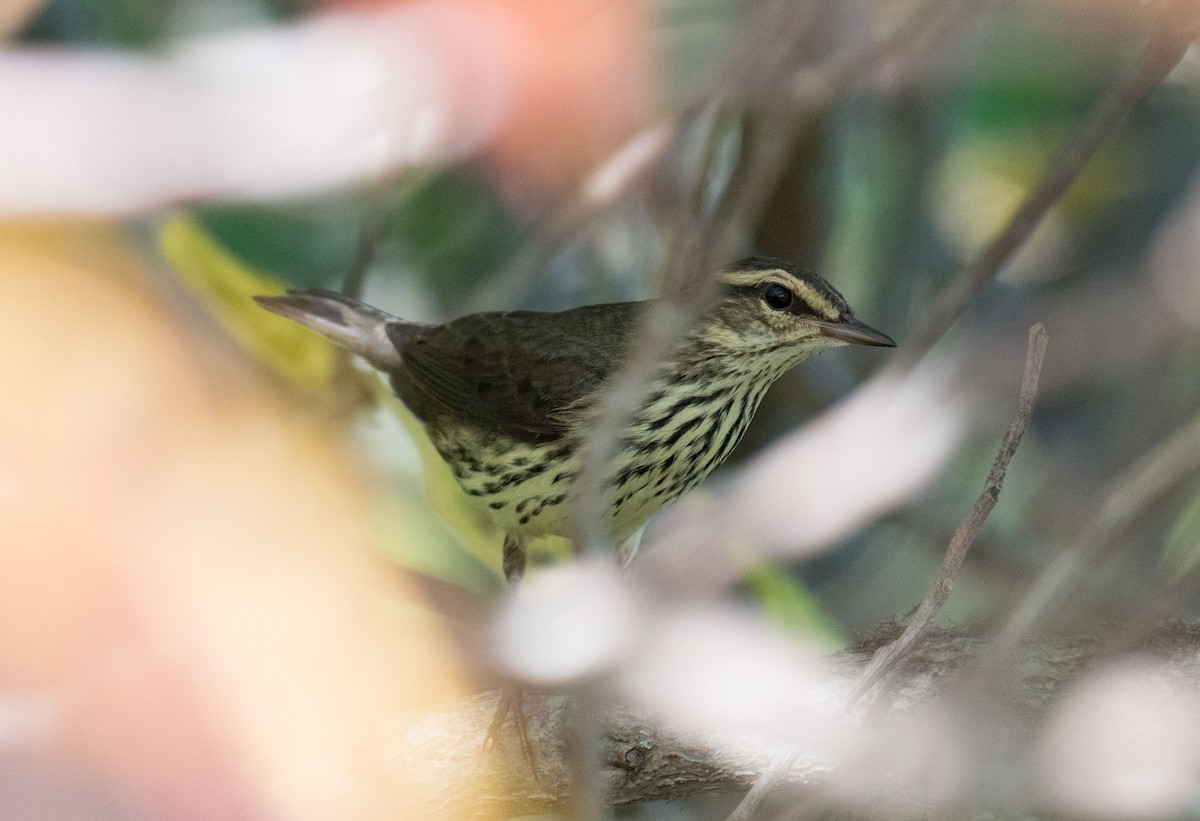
(644, 763)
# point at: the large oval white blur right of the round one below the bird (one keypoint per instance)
(709, 672)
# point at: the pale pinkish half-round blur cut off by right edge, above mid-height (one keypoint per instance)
(1175, 262)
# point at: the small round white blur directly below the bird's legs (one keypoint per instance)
(572, 621)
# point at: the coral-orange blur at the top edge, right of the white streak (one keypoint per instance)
(580, 76)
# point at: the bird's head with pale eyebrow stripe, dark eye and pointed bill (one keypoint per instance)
(772, 308)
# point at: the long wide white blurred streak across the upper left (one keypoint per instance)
(265, 112)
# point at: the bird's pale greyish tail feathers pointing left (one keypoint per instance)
(355, 326)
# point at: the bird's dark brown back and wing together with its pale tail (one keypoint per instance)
(521, 374)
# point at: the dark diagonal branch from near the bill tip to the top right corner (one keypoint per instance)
(1177, 25)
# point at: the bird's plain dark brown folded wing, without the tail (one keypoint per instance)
(519, 373)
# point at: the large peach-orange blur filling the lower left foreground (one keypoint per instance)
(187, 576)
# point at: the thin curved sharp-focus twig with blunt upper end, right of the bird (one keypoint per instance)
(889, 657)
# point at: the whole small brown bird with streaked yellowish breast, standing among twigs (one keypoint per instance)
(506, 398)
